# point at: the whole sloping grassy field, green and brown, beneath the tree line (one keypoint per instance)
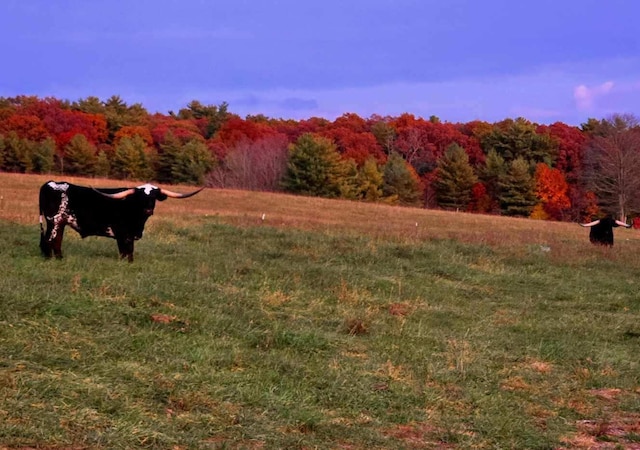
(328, 324)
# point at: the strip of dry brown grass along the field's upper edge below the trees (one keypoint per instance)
(19, 203)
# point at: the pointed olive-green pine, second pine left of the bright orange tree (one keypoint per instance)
(455, 178)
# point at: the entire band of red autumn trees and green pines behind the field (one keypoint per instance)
(512, 167)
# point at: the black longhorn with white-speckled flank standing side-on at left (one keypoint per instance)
(118, 213)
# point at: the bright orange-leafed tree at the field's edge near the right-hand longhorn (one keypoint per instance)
(552, 192)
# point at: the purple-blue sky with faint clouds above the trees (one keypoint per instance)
(461, 60)
